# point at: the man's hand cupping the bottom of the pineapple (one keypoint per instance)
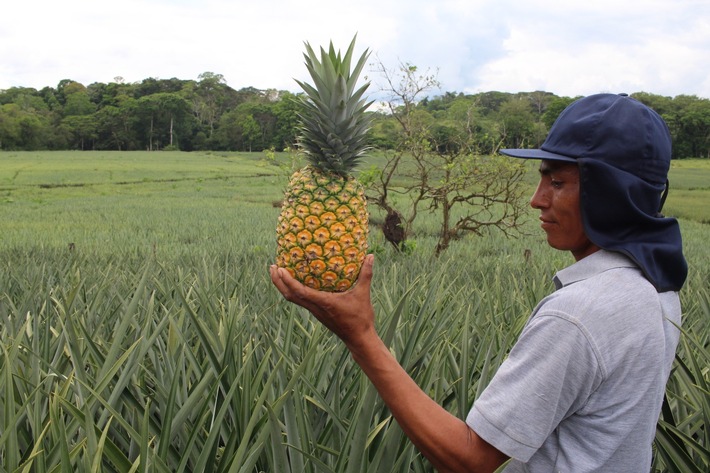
(349, 315)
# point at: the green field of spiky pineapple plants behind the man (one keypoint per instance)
(140, 331)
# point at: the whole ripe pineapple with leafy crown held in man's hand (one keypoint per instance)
(323, 226)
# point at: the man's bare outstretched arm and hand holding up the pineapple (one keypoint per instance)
(448, 443)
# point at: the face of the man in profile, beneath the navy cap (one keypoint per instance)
(557, 198)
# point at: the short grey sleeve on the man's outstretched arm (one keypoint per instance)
(549, 374)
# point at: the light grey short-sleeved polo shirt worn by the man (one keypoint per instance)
(582, 388)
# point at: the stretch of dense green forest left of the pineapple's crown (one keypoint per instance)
(151, 115)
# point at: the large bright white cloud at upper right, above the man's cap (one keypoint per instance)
(630, 51)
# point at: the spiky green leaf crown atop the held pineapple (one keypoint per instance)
(334, 124)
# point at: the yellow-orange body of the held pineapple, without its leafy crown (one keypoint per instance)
(322, 230)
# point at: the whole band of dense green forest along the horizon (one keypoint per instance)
(207, 114)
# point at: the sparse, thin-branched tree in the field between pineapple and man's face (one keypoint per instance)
(436, 166)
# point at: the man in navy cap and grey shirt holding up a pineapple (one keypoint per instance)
(582, 388)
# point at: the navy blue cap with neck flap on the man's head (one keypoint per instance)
(623, 150)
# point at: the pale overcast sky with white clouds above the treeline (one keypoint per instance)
(567, 47)
